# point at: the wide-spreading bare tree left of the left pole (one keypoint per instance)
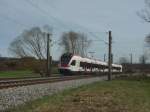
(30, 43)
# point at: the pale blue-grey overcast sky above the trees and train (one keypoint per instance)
(93, 17)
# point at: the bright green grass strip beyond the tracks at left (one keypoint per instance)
(16, 74)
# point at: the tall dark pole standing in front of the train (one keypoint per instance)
(110, 57)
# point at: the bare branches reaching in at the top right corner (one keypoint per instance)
(145, 13)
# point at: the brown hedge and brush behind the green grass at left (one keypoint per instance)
(26, 63)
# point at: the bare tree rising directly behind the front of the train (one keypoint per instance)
(76, 43)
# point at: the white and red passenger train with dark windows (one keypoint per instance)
(70, 64)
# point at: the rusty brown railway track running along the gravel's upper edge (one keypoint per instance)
(9, 83)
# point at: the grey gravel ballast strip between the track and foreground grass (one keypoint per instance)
(12, 97)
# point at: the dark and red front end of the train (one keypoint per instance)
(64, 67)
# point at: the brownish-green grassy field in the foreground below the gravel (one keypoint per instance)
(122, 95)
